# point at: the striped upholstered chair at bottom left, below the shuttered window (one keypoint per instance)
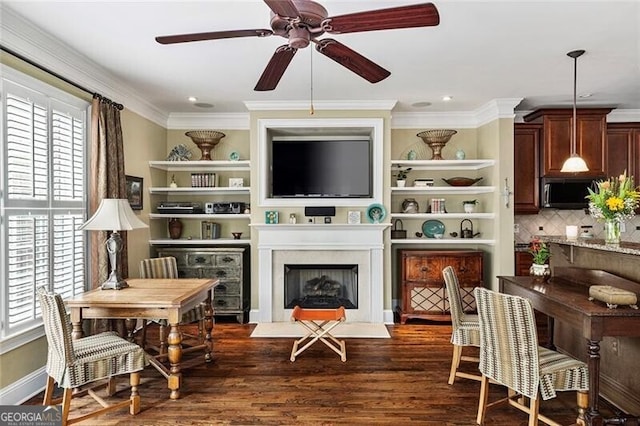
(76, 365)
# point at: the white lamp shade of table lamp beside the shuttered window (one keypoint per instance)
(113, 214)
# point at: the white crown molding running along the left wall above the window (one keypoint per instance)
(28, 40)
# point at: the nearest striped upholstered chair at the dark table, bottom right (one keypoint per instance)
(510, 356)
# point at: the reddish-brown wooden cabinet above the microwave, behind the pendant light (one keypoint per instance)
(557, 127)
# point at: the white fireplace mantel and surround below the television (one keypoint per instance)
(362, 242)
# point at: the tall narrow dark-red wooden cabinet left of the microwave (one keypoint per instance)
(526, 160)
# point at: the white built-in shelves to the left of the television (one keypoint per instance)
(179, 193)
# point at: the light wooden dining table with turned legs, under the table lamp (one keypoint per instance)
(150, 299)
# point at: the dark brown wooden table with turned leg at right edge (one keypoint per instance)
(565, 298)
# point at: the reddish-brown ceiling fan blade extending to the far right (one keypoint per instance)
(419, 15)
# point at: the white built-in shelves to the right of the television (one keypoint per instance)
(439, 190)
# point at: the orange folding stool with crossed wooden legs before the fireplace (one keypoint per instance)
(319, 322)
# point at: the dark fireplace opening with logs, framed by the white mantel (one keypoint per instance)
(321, 286)
